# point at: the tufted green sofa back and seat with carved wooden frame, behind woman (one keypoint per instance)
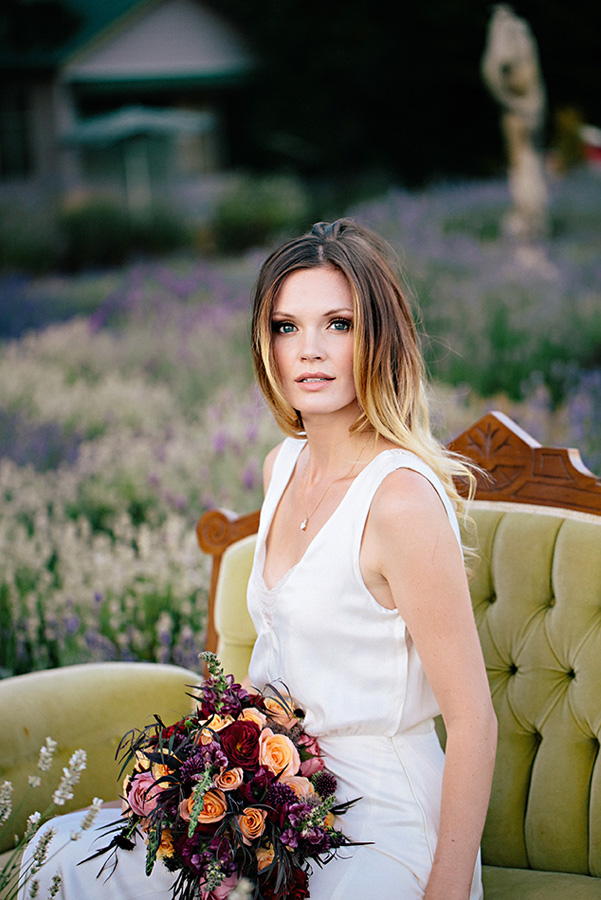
(536, 595)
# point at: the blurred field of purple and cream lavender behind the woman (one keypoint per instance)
(127, 407)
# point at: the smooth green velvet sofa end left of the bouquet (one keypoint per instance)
(86, 706)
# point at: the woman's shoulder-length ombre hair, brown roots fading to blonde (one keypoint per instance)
(388, 363)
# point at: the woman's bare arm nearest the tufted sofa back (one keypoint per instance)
(422, 565)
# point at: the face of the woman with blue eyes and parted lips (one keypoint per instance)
(312, 327)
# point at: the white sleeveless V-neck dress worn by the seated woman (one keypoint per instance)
(351, 665)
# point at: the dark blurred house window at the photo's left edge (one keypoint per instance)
(15, 138)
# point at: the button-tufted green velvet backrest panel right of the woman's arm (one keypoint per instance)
(537, 602)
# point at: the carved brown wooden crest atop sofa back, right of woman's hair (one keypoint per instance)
(522, 471)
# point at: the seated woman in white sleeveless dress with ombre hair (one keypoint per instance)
(358, 590)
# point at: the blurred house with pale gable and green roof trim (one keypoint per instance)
(131, 97)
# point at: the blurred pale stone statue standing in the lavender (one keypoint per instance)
(511, 71)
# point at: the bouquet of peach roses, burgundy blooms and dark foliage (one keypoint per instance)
(235, 790)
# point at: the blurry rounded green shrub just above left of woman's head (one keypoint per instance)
(255, 210)
